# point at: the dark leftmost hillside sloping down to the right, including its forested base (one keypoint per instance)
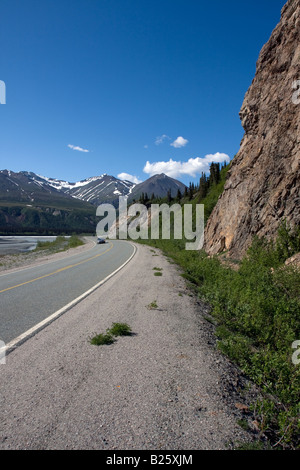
(27, 205)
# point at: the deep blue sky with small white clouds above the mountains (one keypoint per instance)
(130, 88)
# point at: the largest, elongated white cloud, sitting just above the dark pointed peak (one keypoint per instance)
(193, 167)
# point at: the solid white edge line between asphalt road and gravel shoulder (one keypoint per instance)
(32, 331)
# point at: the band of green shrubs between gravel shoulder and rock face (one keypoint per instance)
(257, 312)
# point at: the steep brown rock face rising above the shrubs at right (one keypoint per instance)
(263, 183)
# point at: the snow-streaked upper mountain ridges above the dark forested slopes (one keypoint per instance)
(36, 189)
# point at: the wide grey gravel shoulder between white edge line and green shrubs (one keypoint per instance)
(166, 387)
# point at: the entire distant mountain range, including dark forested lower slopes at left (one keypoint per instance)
(31, 202)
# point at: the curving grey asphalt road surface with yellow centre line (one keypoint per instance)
(30, 295)
